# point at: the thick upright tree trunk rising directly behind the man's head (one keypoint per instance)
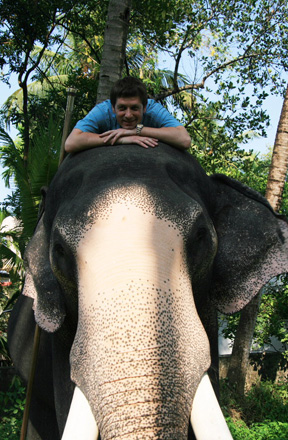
(115, 39)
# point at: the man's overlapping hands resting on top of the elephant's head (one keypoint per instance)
(122, 136)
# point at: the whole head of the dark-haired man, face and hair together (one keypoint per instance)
(129, 99)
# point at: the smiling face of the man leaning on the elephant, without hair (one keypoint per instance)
(129, 112)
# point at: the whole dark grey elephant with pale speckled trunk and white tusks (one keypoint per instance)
(135, 253)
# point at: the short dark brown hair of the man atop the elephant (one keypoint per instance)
(128, 87)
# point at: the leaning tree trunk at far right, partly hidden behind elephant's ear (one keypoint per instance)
(275, 185)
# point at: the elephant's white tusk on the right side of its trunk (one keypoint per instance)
(206, 416)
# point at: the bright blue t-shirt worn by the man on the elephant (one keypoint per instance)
(102, 118)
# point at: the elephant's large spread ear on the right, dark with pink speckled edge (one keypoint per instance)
(252, 244)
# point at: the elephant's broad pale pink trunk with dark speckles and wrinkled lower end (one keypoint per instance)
(140, 348)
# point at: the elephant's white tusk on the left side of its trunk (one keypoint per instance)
(80, 421)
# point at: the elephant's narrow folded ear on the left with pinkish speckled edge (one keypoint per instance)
(41, 283)
